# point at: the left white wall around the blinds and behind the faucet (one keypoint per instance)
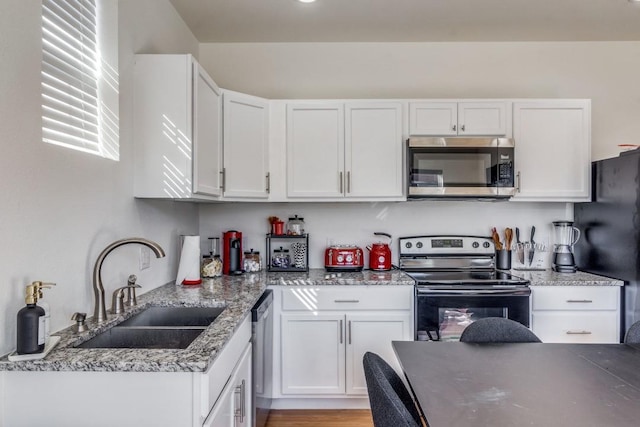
(60, 207)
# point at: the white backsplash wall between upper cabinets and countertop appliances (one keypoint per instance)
(336, 223)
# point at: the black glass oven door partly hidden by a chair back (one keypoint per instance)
(442, 315)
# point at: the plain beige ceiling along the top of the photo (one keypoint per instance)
(410, 20)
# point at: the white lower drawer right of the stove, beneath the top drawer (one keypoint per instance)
(576, 326)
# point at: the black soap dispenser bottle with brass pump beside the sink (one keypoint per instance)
(31, 324)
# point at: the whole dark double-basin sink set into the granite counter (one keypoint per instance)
(158, 328)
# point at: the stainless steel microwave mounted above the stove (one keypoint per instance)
(460, 167)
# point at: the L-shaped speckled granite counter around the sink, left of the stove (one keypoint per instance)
(237, 293)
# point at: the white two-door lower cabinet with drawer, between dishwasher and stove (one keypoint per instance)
(322, 344)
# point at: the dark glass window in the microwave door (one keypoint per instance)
(462, 169)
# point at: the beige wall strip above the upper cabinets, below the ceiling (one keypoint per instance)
(605, 72)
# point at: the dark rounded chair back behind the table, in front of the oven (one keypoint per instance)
(497, 329)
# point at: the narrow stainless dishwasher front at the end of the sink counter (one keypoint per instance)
(262, 344)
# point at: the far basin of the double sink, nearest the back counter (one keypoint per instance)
(174, 316)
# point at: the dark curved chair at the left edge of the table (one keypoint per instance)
(391, 403)
